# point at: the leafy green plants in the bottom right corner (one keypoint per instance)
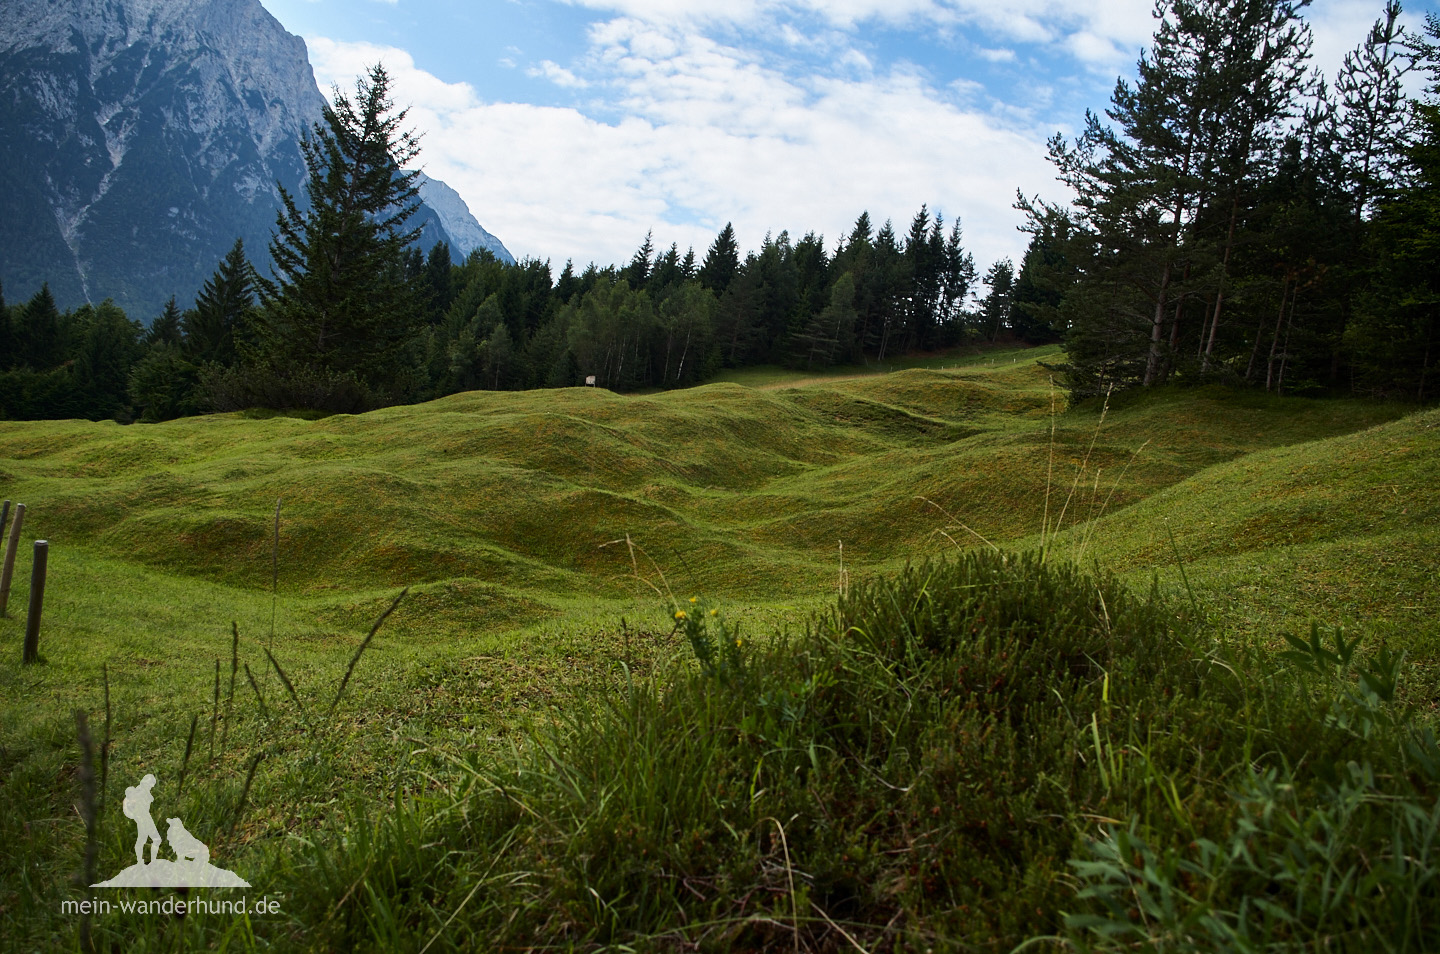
(1318, 855)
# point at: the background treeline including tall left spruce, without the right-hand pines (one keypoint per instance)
(355, 316)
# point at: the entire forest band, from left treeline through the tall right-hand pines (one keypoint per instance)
(1236, 217)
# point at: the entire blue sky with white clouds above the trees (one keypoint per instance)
(572, 129)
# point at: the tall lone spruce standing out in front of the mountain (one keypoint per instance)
(342, 309)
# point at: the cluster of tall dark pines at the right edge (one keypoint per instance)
(1239, 218)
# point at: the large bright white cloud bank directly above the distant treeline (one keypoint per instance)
(703, 133)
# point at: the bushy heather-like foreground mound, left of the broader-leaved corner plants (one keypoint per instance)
(909, 770)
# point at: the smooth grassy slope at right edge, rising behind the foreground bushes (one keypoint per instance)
(1343, 530)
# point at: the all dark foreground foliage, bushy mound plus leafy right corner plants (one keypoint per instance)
(971, 754)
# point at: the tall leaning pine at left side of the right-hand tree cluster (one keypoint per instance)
(1164, 192)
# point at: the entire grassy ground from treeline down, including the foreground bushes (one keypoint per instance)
(911, 661)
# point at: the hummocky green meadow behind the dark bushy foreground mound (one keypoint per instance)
(546, 540)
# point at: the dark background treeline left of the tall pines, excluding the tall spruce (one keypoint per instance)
(663, 321)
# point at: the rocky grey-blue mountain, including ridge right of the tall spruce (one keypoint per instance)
(139, 139)
